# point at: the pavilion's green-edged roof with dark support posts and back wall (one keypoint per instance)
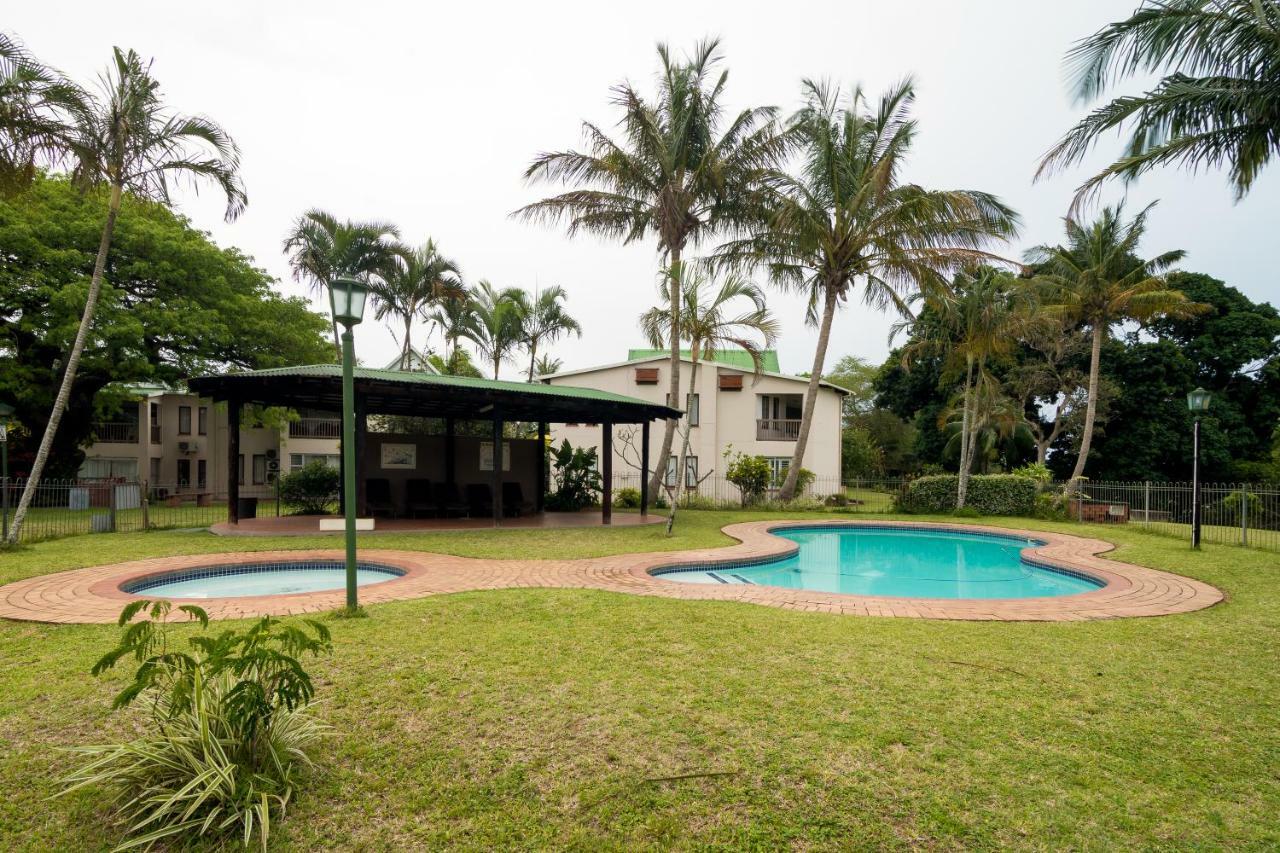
(450, 399)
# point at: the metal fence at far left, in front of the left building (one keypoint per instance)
(81, 505)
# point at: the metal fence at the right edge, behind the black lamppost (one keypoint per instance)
(1240, 514)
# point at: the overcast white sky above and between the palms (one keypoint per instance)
(426, 116)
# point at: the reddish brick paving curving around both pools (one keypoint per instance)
(95, 596)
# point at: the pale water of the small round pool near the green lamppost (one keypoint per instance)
(236, 581)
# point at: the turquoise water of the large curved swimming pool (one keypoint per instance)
(900, 563)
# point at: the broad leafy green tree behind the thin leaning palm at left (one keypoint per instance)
(175, 305)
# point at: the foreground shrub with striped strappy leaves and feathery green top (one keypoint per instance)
(230, 728)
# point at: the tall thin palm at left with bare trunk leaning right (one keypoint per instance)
(127, 142)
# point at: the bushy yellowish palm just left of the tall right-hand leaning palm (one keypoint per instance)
(979, 321)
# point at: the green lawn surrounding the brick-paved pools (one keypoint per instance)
(551, 718)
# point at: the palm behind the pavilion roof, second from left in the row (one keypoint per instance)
(415, 280)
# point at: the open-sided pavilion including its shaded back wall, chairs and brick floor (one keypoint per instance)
(463, 478)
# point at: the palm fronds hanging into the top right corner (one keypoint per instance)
(1219, 104)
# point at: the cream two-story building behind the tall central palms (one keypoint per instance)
(730, 407)
